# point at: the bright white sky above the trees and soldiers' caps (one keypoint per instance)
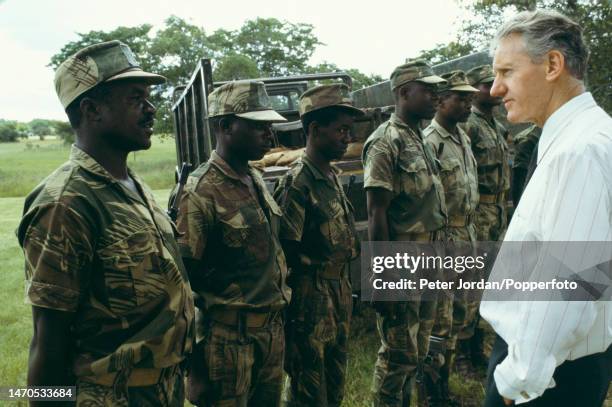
(372, 36)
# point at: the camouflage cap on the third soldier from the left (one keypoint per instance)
(323, 96)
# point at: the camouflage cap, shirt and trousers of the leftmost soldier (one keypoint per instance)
(96, 248)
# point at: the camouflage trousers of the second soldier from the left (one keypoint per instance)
(230, 368)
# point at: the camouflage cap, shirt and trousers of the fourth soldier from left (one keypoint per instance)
(396, 159)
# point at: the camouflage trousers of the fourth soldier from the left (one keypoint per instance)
(404, 334)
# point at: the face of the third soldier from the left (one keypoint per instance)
(333, 140)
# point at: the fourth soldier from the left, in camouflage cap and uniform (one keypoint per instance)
(405, 203)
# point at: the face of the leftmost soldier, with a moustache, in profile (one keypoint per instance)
(127, 116)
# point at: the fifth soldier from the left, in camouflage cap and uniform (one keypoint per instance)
(460, 179)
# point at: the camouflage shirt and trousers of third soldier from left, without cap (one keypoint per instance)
(318, 215)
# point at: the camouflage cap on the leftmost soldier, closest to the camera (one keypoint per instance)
(98, 63)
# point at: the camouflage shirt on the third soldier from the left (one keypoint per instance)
(317, 214)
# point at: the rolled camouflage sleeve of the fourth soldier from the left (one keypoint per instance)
(379, 164)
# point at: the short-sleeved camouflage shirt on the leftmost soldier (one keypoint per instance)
(95, 248)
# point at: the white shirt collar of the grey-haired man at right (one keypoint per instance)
(560, 118)
